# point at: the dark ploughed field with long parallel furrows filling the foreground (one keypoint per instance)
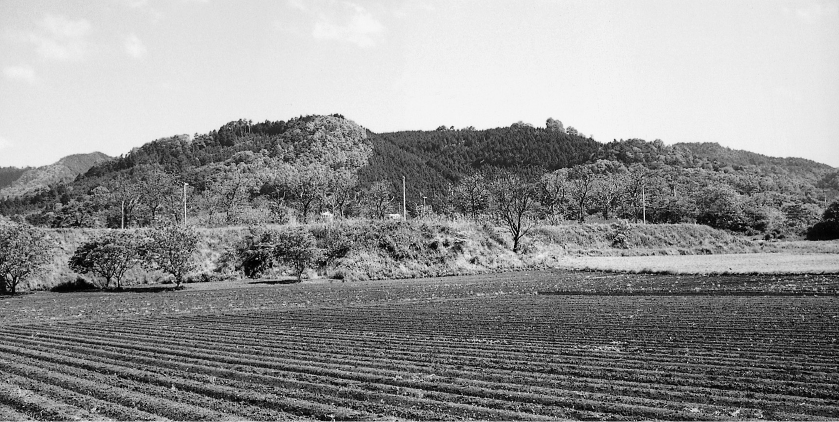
(551, 345)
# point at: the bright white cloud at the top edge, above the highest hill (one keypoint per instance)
(354, 25)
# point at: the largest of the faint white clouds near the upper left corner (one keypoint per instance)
(59, 38)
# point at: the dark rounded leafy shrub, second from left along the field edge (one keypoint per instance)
(108, 256)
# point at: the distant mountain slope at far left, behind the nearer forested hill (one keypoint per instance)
(66, 170)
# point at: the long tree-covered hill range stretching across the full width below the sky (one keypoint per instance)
(247, 172)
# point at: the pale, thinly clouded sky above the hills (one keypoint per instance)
(83, 76)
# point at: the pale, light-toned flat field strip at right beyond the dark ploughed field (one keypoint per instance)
(760, 263)
